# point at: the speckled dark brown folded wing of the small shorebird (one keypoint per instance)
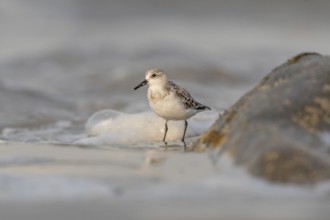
(187, 99)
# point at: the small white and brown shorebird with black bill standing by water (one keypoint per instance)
(170, 101)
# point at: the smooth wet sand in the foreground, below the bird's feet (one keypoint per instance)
(134, 184)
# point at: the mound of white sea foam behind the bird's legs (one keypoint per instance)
(112, 127)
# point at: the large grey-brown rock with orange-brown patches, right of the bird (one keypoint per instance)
(275, 130)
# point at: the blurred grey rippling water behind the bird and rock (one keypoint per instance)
(62, 60)
